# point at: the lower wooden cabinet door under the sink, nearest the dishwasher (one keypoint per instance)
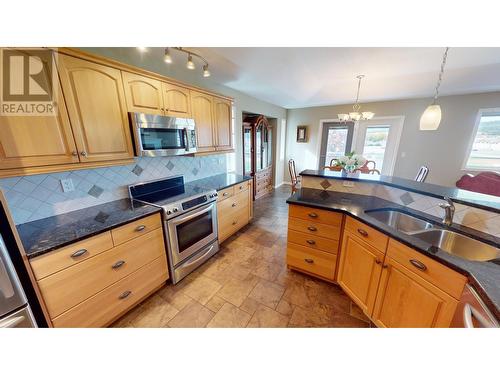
(405, 300)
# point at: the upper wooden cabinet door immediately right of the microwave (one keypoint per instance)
(202, 110)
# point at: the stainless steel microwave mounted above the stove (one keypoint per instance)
(156, 135)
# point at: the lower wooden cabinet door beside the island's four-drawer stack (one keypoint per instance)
(359, 271)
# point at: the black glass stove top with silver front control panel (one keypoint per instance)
(172, 195)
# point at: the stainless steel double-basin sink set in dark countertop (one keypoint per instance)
(449, 241)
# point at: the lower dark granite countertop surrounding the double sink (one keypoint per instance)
(483, 276)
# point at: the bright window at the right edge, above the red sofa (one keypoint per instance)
(484, 151)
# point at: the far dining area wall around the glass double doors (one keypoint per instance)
(443, 150)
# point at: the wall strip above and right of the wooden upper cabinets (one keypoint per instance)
(153, 61)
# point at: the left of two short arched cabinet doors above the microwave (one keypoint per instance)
(143, 94)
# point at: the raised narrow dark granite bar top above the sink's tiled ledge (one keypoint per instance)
(470, 198)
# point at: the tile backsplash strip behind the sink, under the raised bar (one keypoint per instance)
(472, 217)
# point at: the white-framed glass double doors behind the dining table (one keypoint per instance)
(376, 139)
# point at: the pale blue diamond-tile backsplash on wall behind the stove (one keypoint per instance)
(39, 196)
